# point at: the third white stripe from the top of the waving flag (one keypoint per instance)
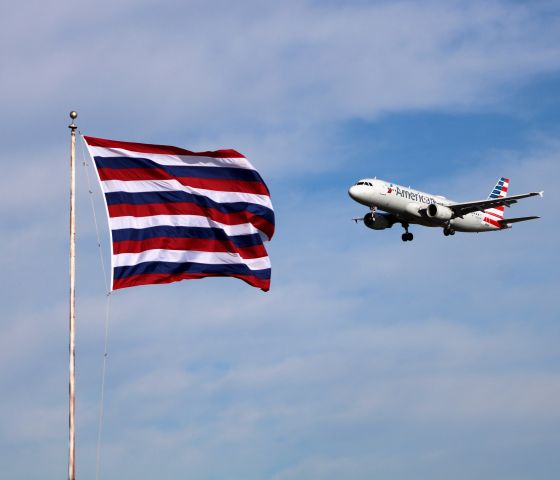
(117, 223)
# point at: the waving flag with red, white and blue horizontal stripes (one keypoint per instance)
(176, 214)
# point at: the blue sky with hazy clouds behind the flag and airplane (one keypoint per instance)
(369, 357)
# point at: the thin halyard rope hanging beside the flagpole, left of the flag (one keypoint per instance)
(107, 317)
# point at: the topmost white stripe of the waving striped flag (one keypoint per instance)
(174, 160)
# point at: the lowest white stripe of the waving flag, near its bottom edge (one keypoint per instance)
(183, 256)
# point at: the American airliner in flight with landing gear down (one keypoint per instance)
(408, 206)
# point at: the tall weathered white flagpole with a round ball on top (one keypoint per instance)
(72, 342)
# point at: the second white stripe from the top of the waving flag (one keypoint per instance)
(139, 186)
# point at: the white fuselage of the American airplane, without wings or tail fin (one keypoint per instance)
(409, 206)
